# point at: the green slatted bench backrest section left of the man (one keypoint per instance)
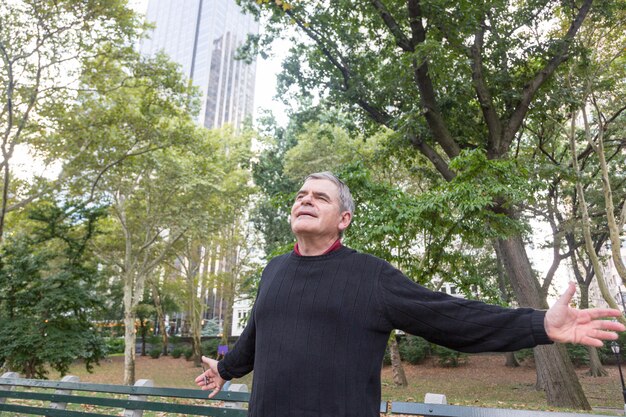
(36, 391)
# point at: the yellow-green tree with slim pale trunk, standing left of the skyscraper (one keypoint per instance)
(132, 157)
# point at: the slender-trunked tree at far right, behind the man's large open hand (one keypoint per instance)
(575, 179)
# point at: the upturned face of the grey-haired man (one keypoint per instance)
(316, 211)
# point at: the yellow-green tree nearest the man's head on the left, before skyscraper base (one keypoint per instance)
(212, 255)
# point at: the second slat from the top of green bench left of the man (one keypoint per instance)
(200, 410)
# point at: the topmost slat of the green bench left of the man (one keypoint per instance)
(125, 389)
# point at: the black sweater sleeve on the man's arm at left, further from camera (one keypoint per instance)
(240, 361)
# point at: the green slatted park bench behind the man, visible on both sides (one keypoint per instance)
(36, 397)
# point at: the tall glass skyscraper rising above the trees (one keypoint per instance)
(203, 37)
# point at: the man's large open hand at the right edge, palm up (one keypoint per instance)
(565, 324)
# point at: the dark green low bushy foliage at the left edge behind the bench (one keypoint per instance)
(47, 297)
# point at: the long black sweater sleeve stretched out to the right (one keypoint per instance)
(457, 323)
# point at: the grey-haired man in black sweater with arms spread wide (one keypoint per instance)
(319, 326)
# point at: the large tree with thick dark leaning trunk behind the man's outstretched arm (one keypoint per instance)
(447, 78)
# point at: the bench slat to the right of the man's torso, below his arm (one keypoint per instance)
(440, 410)
